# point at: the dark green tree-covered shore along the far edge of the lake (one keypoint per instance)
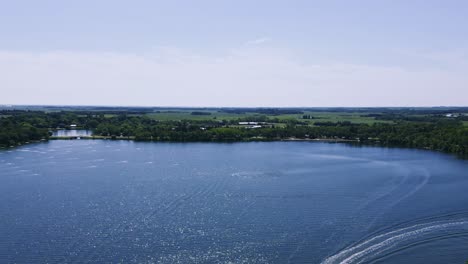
(433, 132)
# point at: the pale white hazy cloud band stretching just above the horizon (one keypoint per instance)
(246, 77)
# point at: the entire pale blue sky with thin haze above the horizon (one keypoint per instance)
(244, 53)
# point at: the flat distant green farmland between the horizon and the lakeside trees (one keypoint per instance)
(353, 115)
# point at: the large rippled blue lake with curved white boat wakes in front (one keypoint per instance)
(79, 201)
